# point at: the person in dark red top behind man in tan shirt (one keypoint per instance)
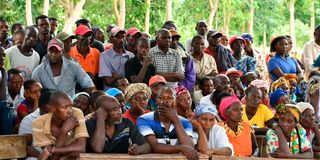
(32, 92)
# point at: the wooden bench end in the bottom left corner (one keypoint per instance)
(13, 146)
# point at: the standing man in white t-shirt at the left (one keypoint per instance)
(23, 57)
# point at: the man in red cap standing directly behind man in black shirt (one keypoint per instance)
(132, 35)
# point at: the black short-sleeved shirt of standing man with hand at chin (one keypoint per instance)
(133, 67)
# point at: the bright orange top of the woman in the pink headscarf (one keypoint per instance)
(241, 142)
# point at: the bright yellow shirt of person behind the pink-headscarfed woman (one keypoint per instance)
(262, 115)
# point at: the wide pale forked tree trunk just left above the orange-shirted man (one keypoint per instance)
(73, 14)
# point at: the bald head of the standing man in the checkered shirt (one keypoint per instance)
(163, 38)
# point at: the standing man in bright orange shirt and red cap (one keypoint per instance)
(87, 57)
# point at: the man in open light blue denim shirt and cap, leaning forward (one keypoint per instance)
(58, 73)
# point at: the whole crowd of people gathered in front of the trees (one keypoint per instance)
(84, 93)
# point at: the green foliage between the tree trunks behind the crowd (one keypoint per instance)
(271, 16)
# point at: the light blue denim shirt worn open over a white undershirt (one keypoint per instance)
(71, 74)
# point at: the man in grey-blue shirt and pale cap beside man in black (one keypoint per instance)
(112, 61)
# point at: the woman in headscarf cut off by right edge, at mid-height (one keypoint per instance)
(313, 91)
